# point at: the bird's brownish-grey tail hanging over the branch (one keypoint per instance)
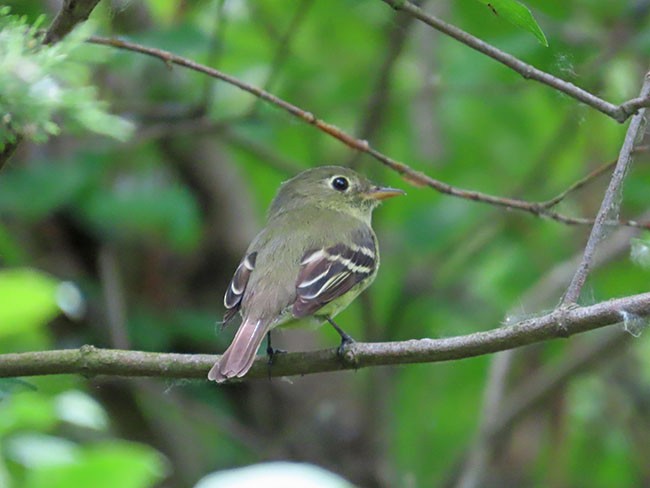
(239, 356)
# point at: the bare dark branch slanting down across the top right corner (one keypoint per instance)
(620, 113)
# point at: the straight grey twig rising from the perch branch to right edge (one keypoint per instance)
(610, 203)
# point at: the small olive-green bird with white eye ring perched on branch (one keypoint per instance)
(316, 254)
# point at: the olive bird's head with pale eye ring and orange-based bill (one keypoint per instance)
(334, 188)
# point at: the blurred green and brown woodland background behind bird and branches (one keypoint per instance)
(146, 232)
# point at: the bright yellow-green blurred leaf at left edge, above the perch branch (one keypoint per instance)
(28, 298)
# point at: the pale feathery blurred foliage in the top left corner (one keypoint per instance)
(41, 83)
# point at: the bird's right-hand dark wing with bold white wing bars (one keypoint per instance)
(327, 273)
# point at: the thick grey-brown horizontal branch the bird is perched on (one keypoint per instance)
(89, 360)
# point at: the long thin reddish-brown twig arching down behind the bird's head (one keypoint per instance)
(416, 178)
